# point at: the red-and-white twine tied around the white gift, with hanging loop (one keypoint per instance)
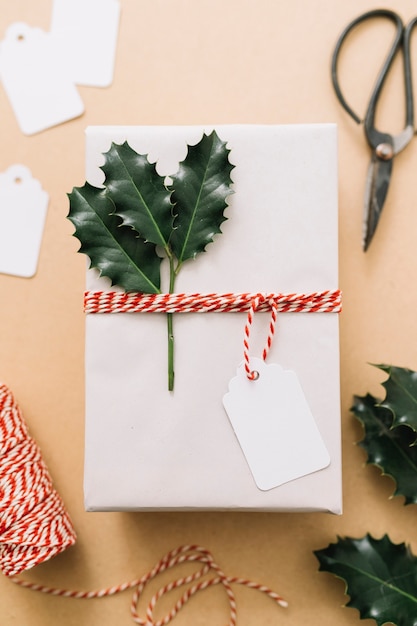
(328, 301)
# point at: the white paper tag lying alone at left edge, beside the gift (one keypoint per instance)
(23, 207)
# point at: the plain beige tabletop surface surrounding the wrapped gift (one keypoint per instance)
(214, 61)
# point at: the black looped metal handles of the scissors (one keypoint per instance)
(370, 114)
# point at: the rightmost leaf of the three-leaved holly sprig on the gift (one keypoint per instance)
(200, 189)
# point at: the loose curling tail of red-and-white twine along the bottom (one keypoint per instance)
(195, 582)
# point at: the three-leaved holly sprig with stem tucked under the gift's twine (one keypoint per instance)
(124, 225)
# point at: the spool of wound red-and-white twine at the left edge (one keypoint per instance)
(34, 525)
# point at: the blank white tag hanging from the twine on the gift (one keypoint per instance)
(274, 425)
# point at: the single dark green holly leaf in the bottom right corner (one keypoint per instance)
(380, 577)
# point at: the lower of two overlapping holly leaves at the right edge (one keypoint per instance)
(390, 449)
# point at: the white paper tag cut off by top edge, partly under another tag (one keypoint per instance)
(86, 31)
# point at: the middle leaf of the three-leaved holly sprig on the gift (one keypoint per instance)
(139, 193)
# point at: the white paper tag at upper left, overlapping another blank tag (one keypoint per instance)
(36, 80)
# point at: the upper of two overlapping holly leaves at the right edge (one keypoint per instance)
(401, 395)
